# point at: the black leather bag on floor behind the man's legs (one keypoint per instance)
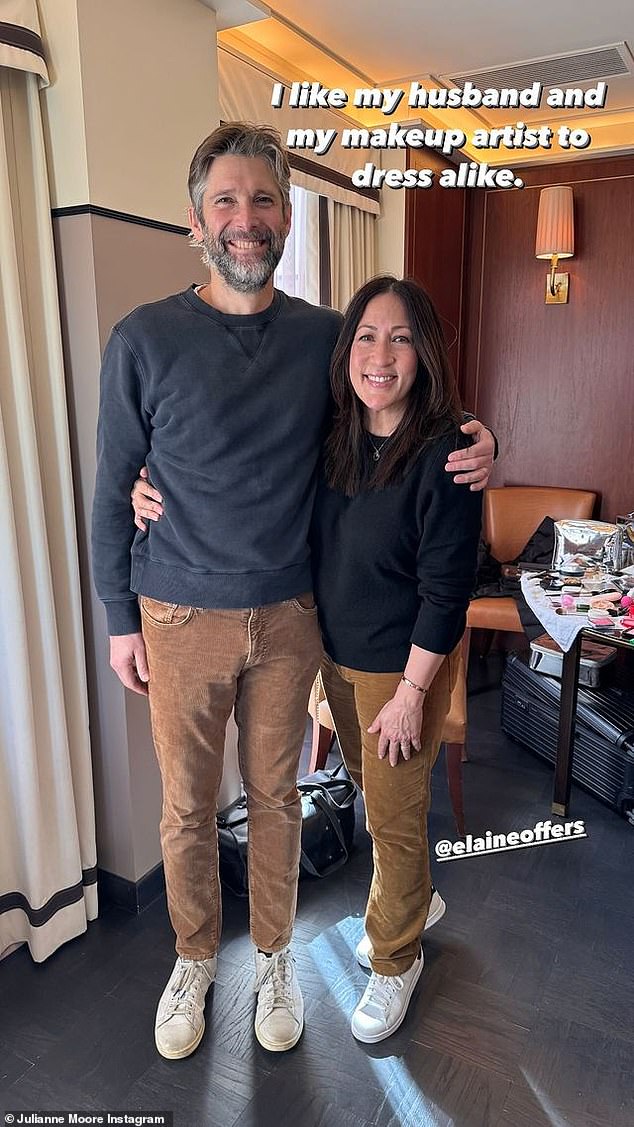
(328, 828)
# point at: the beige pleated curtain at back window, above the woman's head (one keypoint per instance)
(353, 251)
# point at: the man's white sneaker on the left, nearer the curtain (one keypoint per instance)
(181, 1019)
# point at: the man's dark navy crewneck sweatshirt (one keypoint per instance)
(228, 413)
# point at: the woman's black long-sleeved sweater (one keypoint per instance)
(396, 566)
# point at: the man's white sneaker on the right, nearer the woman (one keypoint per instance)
(280, 1015)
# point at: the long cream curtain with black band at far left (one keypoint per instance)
(48, 851)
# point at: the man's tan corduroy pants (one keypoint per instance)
(262, 662)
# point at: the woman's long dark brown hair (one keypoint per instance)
(433, 407)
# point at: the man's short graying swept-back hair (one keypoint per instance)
(238, 139)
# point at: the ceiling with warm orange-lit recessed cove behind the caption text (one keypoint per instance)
(372, 43)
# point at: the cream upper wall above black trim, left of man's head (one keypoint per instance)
(135, 90)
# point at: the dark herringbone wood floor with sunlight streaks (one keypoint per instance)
(523, 1017)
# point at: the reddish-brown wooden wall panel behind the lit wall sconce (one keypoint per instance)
(557, 383)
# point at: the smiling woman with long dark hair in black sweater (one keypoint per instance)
(395, 546)
